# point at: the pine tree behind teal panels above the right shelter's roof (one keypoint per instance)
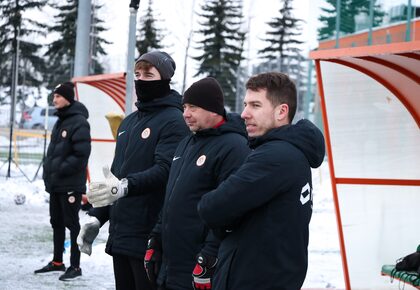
(348, 10)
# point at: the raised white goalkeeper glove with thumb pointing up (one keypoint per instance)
(108, 191)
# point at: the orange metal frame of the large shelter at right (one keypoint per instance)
(343, 56)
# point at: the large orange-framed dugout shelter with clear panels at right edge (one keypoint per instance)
(370, 99)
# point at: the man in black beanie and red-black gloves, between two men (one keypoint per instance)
(216, 147)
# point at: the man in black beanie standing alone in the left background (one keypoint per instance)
(65, 176)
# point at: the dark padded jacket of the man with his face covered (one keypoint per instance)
(146, 143)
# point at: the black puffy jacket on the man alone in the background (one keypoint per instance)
(68, 152)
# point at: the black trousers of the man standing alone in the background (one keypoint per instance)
(64, 213)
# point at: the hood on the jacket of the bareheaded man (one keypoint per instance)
(304, 135)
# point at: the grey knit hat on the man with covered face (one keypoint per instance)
(161, 61)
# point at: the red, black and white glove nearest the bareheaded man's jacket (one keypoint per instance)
(203, 272)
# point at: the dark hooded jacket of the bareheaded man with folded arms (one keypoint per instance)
(268, 201)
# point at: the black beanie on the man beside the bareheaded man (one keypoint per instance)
(207, 94)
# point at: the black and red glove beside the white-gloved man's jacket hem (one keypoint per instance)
(153, 258)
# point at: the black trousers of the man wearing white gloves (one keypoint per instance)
(130, 274)
